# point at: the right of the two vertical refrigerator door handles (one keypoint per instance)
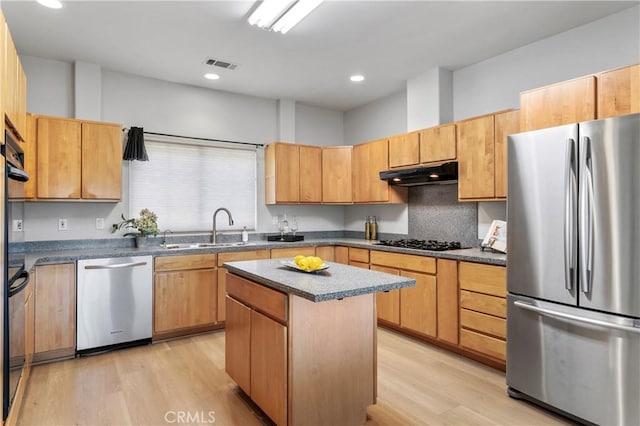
(586, 216)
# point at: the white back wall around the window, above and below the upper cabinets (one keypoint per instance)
(165, 107)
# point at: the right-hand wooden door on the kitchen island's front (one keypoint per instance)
(269, 366)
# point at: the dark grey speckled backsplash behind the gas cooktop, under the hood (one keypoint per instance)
(436, 214)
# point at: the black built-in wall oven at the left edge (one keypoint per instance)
(16, 276)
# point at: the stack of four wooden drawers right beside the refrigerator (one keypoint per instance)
(483, 313)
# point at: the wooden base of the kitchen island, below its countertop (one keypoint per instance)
(318, 359)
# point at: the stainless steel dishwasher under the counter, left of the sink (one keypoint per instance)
(115, 299)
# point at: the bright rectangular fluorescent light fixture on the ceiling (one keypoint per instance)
(281, 15)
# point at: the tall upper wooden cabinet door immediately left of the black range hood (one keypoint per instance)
(369, 159)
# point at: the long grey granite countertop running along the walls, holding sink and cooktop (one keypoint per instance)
(72, 255)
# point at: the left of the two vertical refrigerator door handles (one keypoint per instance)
(570, 209)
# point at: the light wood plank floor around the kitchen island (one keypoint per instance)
(150, 385)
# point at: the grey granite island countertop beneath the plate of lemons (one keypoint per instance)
(336, 282)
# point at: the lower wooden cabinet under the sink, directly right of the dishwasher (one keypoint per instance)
(184, 295)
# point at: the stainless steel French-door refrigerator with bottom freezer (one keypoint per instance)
(573, 269)
